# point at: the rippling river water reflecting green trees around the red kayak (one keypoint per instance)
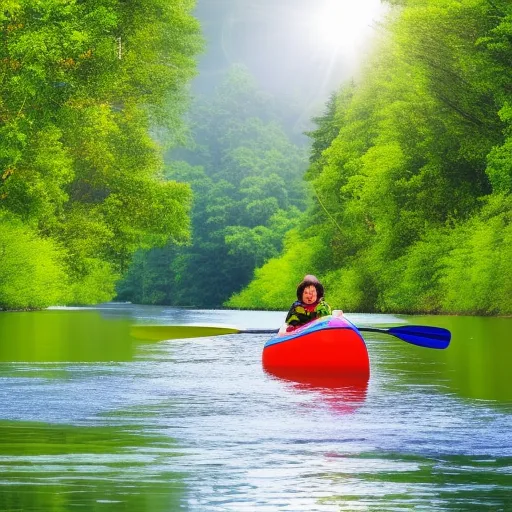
(91, 419)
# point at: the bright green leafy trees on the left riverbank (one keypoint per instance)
(90, 94)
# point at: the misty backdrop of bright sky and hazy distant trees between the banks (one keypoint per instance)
(267, 71)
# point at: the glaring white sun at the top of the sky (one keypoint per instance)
(341, 25)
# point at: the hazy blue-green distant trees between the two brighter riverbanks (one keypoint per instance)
(246, 173)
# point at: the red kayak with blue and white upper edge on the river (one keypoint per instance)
(329, 346)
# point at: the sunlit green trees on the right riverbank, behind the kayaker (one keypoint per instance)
(411, 166)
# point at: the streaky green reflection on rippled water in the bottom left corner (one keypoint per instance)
(61, 467)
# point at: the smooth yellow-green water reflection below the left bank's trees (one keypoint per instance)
(57, 335)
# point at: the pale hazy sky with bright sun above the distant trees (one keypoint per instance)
(302, 47)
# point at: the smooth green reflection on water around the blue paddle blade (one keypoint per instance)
(476, 365)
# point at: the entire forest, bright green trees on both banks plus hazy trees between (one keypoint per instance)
(112, 181)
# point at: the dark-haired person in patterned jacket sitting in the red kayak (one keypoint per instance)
(309, 306)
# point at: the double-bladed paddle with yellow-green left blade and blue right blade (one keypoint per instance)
(423, 336)
